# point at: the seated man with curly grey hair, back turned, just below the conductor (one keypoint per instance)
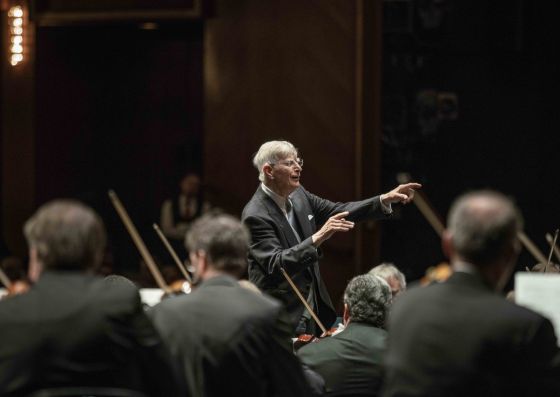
(350, 362)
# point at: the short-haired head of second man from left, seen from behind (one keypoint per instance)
(224, 240)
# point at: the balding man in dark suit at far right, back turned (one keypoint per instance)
(461, 337)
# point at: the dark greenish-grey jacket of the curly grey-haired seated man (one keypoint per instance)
(349, 362)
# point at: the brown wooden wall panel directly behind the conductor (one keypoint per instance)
(289, 69)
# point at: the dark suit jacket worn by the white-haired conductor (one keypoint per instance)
(274, 246)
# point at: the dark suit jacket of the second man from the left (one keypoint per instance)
(227, 339)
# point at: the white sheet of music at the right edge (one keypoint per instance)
(541, 293)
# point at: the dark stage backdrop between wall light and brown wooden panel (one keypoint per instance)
(118, 107)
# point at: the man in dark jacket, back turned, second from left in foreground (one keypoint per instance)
(225, 338)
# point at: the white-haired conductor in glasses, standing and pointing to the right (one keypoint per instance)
(288, 224)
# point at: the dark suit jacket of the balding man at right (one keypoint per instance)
(460, 338)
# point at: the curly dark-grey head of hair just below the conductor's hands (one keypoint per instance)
(368, 298)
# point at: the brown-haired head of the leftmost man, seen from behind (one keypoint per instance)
(66, 235)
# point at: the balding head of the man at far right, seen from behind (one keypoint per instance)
(483, 225)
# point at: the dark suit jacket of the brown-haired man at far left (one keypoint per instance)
(72, 329)
